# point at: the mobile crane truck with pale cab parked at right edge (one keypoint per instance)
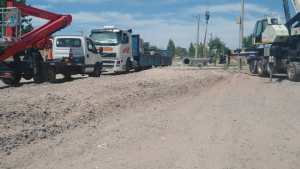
(277, 46)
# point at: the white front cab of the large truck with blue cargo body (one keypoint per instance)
(116, 46)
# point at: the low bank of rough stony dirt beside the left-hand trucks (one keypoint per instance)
(34, 112)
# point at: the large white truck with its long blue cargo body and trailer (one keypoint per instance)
(124, 51)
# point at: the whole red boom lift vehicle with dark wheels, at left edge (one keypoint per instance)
(20, 57)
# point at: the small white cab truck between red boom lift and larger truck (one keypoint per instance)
(73, 55)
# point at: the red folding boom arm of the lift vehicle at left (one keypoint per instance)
(33, 38)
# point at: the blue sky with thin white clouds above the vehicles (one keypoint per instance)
(159, 20)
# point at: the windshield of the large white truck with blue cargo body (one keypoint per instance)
(106, 38)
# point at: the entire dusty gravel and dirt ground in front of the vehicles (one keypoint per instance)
(157, 119)
